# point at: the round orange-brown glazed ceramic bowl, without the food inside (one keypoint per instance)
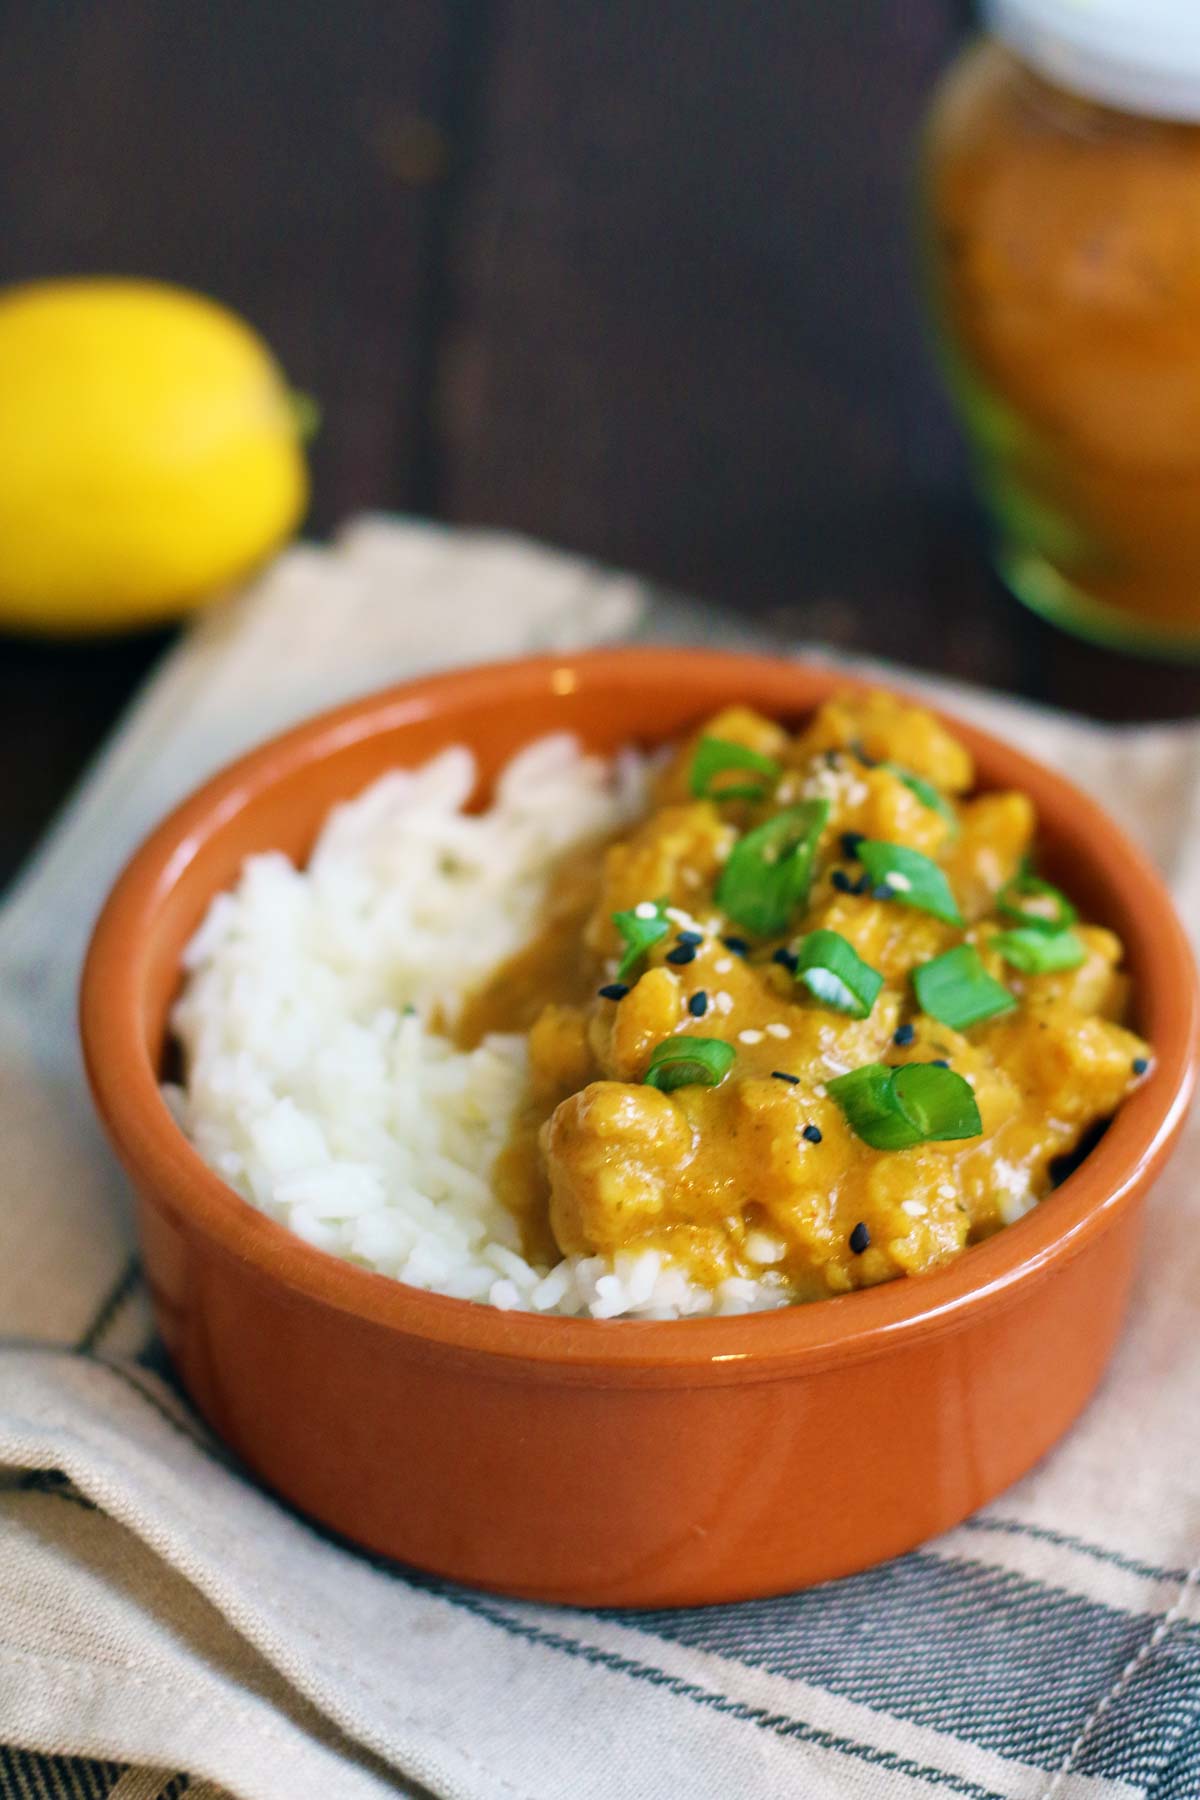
(625, 1462)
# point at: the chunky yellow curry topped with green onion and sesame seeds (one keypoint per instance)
(767, 1171)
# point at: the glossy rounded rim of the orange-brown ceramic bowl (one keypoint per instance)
(841, 1329)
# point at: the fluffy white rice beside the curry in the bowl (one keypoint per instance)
(318, 1083)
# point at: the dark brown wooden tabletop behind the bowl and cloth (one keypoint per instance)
(636, 280)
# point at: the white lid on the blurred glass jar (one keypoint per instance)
(1142, 57)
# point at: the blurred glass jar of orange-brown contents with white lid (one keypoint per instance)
(1062, 240)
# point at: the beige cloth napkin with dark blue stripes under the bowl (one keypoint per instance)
(166, 1626)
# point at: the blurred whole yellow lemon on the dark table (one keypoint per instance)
(150, 454)
